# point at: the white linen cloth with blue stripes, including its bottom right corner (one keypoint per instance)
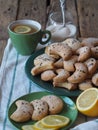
(14, 83)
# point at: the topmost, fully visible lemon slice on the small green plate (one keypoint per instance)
(55, 121)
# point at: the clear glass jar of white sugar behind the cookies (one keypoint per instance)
(59, 31)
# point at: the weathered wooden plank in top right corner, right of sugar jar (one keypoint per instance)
(88, 17)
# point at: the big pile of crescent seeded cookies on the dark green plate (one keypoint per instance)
(71, 64)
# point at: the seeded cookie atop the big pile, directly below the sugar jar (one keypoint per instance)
(73, 43)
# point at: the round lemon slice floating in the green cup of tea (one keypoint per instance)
(22, 29)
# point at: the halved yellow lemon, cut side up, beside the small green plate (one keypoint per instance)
(87, 102)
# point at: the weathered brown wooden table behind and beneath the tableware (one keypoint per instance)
(85, 13)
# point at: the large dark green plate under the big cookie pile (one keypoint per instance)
(46, 85)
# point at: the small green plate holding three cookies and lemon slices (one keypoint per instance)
(69, 109)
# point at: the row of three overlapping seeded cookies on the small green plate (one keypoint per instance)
(37, 109)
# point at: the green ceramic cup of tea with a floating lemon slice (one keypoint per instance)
(26, 34)
